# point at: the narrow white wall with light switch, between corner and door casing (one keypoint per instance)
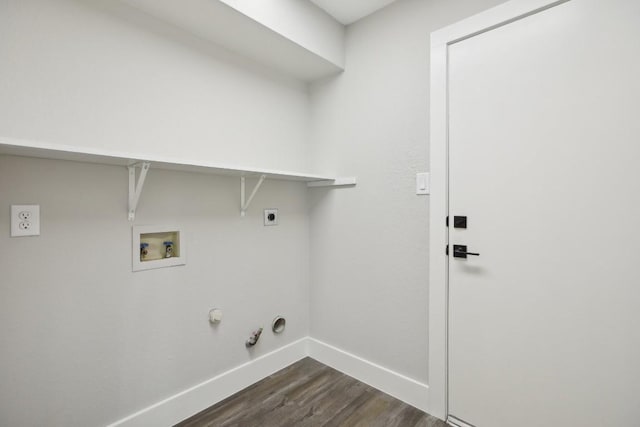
(369, 243)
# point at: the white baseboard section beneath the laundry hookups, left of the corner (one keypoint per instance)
(197, 398)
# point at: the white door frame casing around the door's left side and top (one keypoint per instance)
(439, 204)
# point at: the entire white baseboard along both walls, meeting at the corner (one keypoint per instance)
(197, 398)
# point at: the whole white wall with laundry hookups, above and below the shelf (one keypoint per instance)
(85, 341)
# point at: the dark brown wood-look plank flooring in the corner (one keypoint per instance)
(310, 394)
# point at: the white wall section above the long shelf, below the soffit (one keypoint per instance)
(98, 73)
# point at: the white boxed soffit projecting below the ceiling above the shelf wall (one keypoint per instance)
(291, 36)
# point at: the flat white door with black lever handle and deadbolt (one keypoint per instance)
(544, 161)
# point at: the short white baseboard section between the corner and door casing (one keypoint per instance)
(399, 386)
